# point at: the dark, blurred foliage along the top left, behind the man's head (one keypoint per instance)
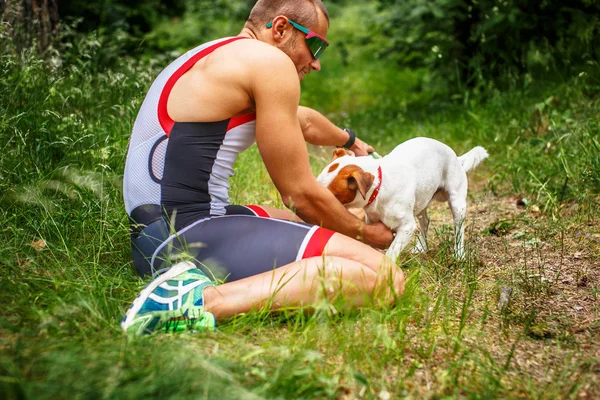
(104, 33)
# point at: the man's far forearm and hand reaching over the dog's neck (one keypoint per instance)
(320, 131)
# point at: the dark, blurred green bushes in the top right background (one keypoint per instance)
(473, 43)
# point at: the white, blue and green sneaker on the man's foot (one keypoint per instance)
(173, 302)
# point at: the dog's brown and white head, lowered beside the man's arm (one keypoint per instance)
(348, 182)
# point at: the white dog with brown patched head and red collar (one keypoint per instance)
(398, 187)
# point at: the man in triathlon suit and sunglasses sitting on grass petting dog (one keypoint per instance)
(199, 114)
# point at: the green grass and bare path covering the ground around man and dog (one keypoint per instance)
(65, 137)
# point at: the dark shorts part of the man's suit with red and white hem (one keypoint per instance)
(239, 244)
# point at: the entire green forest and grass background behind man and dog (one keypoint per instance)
(521, 78)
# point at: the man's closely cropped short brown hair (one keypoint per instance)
(303, 12)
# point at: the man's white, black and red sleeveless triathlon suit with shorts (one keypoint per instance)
(176, 192)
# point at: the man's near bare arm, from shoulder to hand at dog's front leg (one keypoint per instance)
(282, 147)
